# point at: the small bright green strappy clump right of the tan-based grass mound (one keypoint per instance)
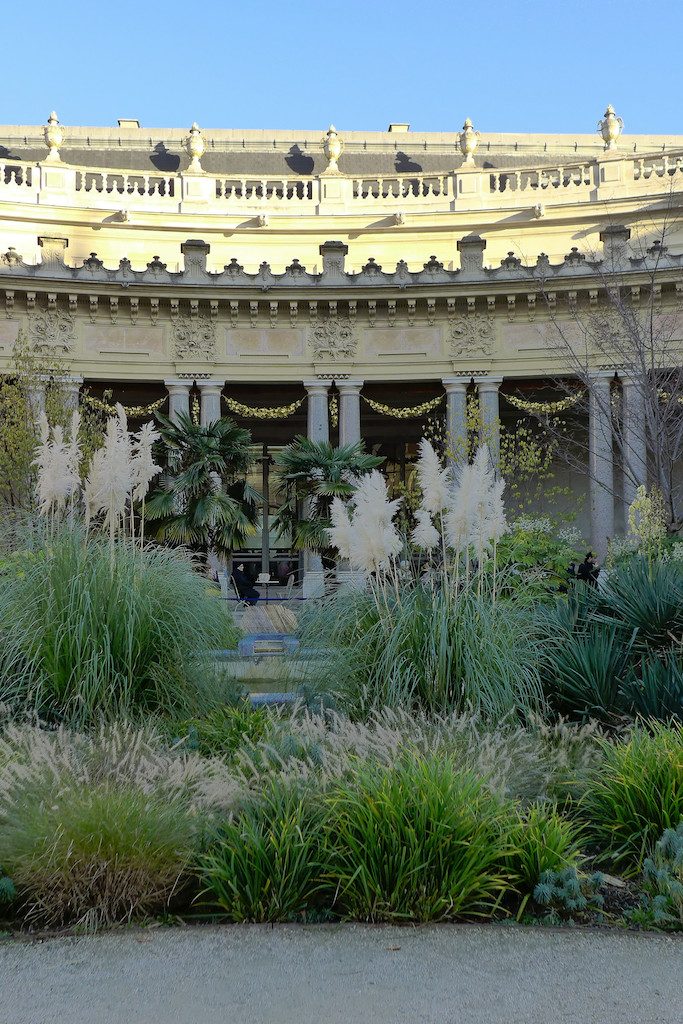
(266, 865)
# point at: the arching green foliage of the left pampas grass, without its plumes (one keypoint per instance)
(84, 634)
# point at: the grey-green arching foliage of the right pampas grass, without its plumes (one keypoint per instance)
(431, 650)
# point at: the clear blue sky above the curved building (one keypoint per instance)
(510, 65)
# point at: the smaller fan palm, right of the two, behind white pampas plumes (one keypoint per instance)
(312, 475)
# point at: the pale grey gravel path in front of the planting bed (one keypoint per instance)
(345, 974)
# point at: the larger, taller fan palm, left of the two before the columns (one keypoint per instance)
(205, 502)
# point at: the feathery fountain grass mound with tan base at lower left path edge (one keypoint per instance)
(98, 829)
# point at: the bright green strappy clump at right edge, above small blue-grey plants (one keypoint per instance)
(636, 794)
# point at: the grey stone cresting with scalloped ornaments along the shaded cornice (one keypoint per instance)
(617, 257)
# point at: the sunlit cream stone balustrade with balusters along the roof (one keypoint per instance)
(469, 187)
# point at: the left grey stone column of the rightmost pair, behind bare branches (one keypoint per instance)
(601, 461)
